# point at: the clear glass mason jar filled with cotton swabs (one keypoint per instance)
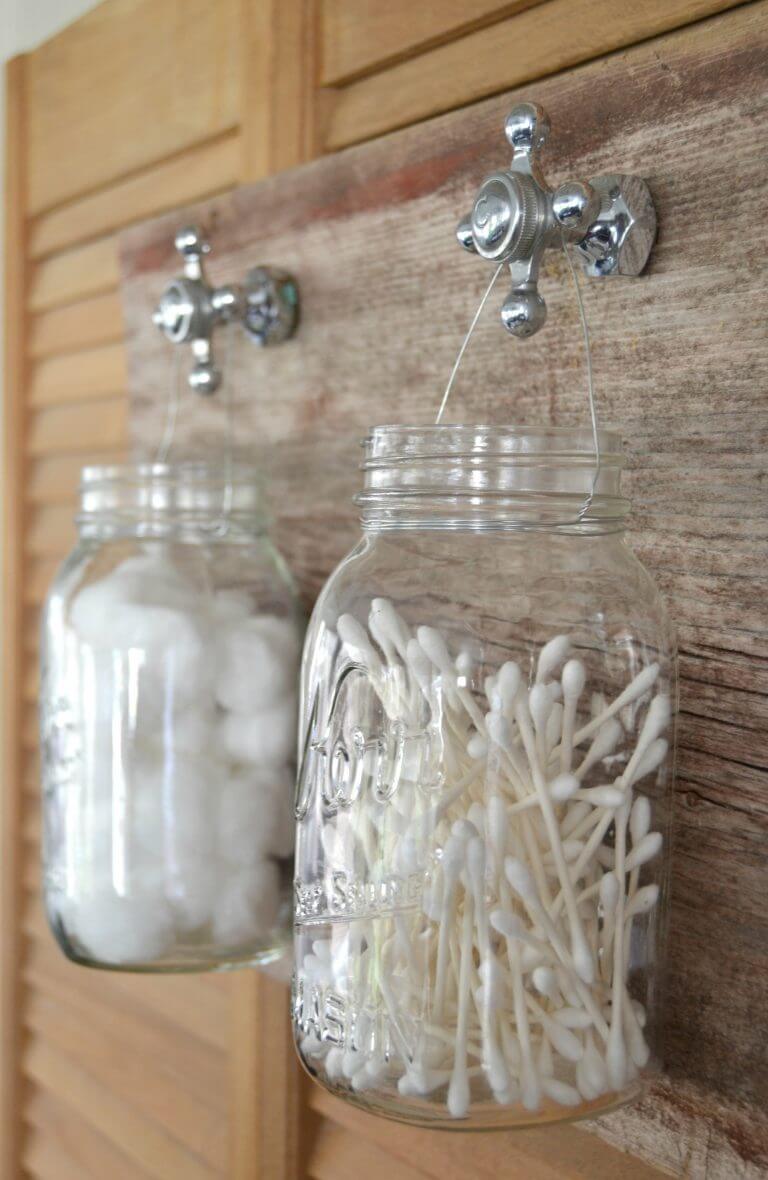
(484, 796)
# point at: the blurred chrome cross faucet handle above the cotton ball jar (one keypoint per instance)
(191, 309)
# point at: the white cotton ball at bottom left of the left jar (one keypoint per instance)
(121, 930)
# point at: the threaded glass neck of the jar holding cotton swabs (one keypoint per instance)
(493, 480)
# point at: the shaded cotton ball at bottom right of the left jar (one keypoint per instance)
(247, 904)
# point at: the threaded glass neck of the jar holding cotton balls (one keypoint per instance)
(193, 502)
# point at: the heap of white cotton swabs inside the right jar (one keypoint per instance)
(511, 968)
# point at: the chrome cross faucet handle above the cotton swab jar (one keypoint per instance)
(516, 217)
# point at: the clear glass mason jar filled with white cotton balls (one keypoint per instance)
(172, 641)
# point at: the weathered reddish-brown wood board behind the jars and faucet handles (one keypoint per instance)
(679, 360)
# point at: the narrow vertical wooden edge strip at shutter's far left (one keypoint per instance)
(14, 520)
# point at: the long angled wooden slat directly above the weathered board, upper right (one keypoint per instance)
(536, 43)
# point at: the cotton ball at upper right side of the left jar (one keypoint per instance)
(257, 664)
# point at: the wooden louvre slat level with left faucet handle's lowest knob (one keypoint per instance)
(78, 377)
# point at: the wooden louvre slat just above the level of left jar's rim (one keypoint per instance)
(94, 427)
